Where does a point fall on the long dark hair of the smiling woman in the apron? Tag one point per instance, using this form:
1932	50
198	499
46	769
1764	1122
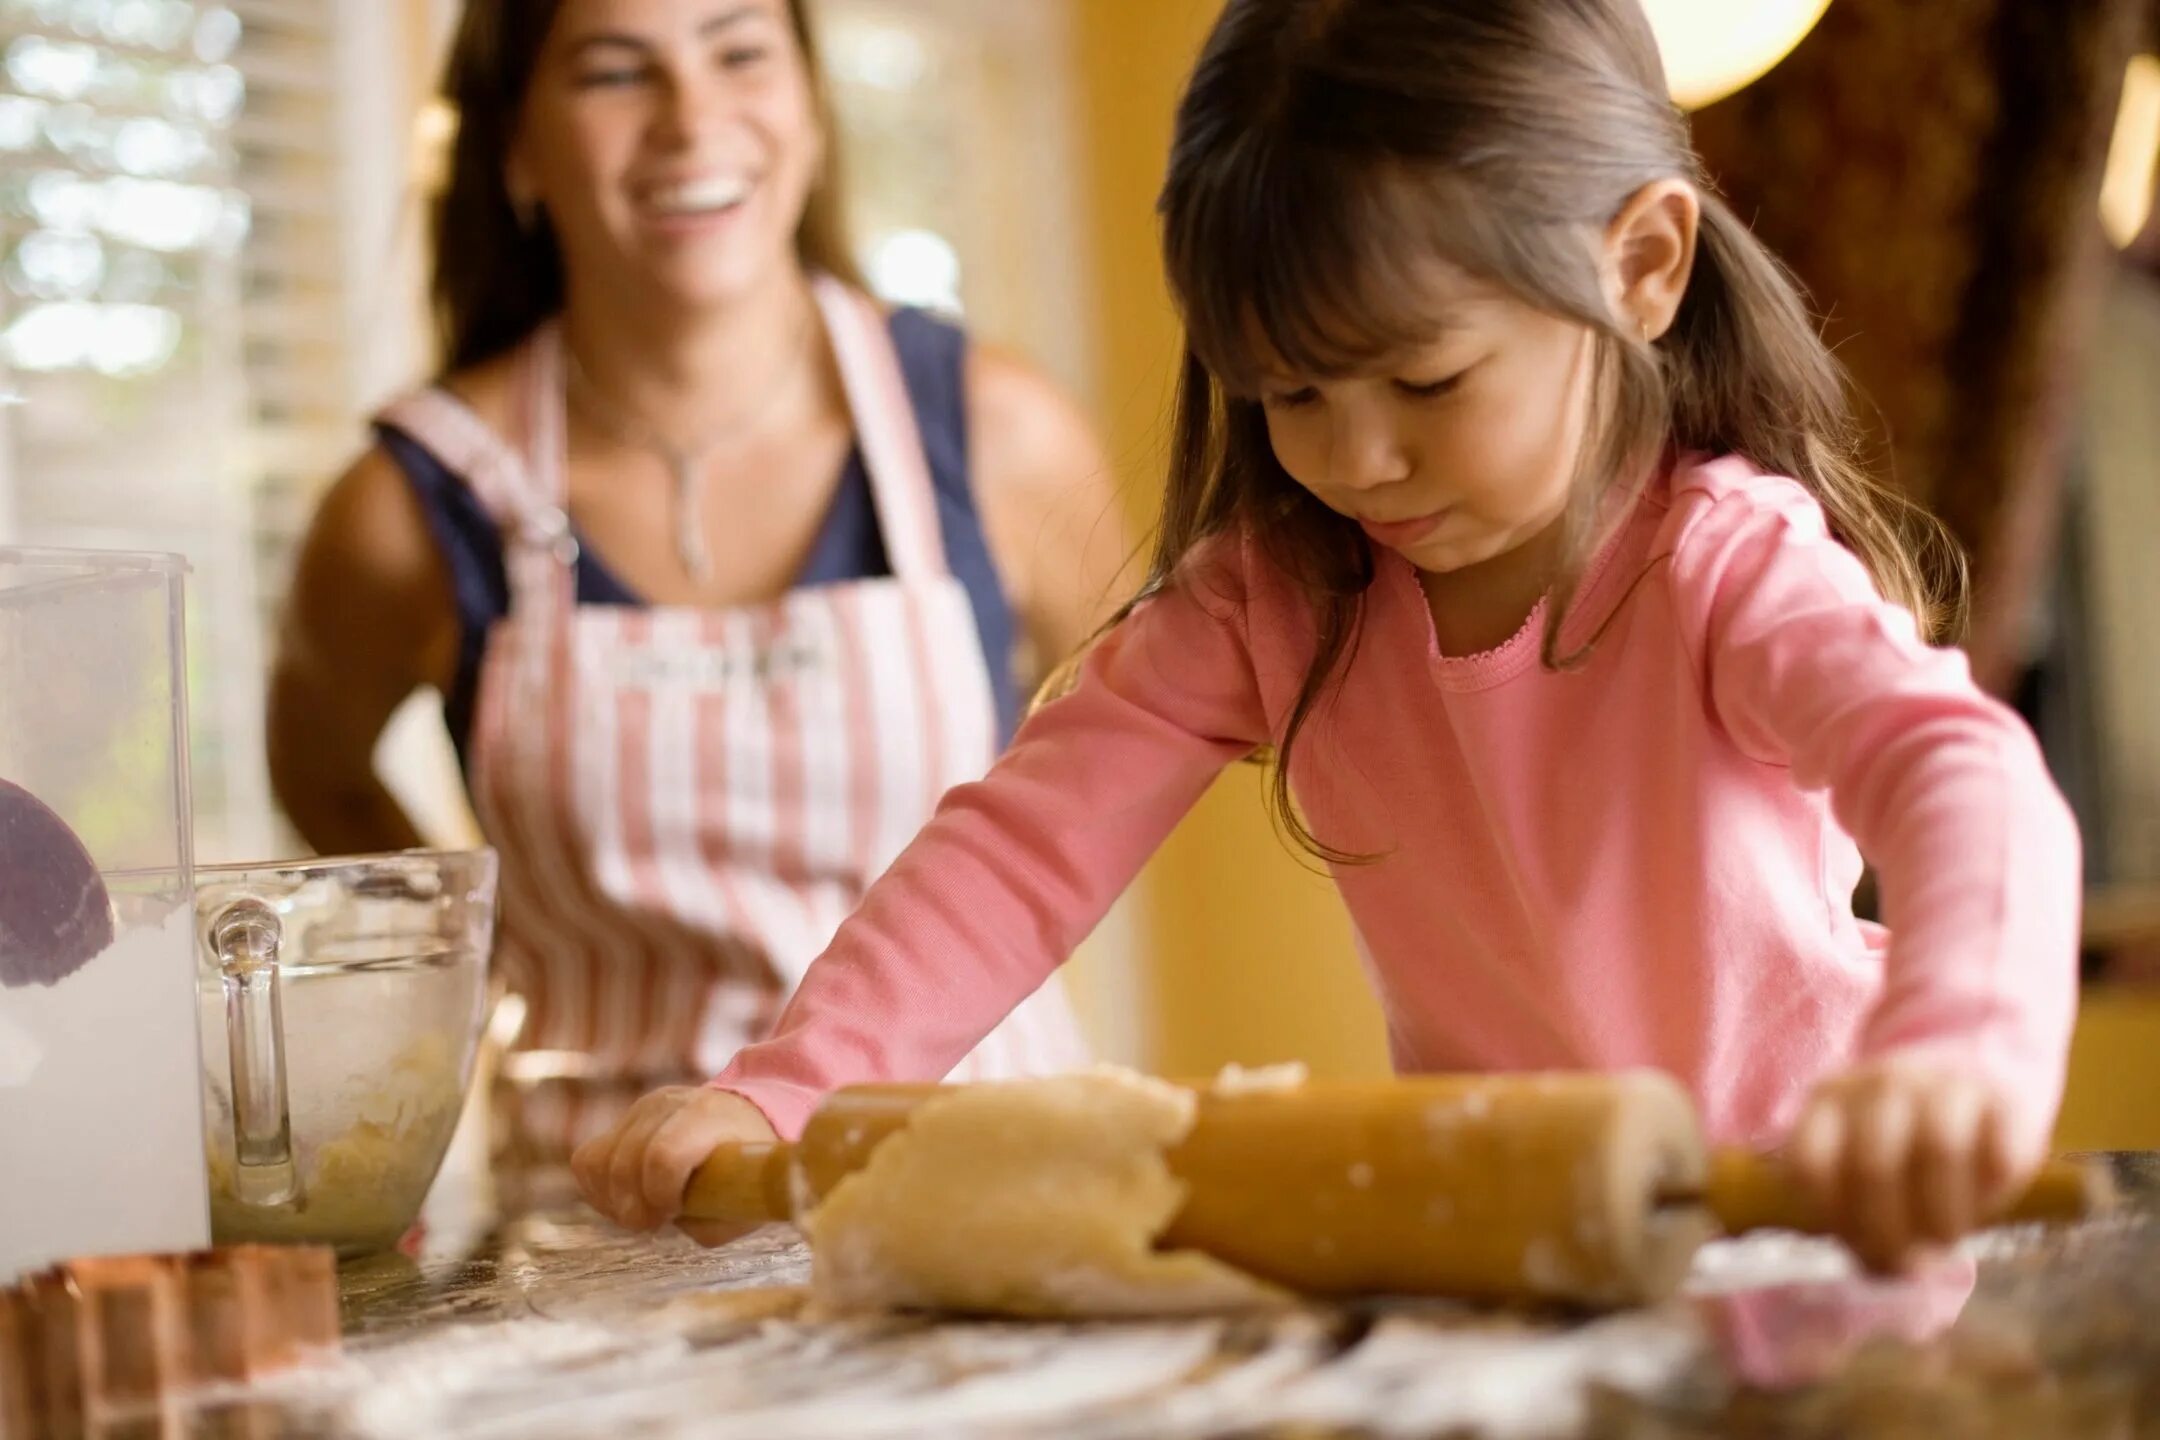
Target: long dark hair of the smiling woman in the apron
496	277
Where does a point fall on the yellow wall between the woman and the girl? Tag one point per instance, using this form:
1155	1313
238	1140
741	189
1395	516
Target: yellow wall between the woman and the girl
1250	953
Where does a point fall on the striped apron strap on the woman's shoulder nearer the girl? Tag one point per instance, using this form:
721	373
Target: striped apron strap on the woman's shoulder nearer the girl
887	426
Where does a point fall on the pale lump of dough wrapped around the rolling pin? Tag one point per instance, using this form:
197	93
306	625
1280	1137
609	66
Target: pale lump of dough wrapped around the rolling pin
1036	1197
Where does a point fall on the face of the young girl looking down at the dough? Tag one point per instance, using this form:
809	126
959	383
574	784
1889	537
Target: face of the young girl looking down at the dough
1455	452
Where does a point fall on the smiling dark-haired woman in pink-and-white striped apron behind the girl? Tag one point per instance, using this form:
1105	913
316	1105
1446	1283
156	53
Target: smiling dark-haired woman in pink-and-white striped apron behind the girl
720	567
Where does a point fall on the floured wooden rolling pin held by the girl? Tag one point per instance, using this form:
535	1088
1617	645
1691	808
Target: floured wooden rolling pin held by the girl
1582	1188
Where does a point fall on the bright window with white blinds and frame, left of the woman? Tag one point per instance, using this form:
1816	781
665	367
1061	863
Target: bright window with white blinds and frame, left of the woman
202	210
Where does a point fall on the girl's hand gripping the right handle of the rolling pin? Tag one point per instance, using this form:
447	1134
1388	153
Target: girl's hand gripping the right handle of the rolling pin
1908	1156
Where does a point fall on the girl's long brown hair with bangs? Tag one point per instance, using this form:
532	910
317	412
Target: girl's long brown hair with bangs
1329	150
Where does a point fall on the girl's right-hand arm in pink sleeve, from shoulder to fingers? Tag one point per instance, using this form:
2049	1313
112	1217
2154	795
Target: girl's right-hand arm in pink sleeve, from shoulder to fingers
1975	850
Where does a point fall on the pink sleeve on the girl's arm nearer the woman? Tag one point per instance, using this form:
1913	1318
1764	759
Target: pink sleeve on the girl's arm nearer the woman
1016	869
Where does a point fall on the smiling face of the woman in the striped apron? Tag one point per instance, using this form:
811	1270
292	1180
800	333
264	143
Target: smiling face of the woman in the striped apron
673	144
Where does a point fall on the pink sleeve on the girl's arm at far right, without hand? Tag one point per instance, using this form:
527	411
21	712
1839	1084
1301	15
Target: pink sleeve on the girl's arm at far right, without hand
1943	789
